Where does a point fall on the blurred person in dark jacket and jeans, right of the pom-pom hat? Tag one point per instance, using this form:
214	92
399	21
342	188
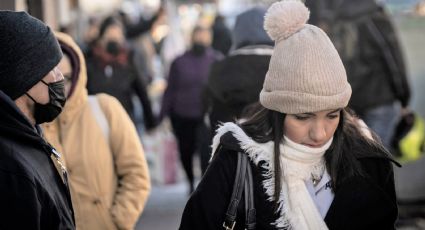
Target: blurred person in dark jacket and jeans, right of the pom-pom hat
366	40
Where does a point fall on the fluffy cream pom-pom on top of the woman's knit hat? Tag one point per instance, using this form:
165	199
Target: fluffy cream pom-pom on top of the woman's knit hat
285	18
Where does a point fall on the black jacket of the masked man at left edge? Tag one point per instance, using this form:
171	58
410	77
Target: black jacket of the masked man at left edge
32	192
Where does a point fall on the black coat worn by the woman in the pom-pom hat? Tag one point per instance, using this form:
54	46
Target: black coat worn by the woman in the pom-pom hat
359	203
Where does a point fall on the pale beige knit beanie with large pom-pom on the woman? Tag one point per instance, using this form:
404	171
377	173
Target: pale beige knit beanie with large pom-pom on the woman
305	73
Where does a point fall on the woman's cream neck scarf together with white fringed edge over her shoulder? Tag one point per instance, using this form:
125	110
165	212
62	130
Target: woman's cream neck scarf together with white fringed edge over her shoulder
300	163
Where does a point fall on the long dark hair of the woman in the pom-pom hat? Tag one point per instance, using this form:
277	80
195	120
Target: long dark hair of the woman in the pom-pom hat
349	144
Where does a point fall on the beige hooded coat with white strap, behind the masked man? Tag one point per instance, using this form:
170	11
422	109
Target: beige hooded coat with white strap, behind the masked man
109	182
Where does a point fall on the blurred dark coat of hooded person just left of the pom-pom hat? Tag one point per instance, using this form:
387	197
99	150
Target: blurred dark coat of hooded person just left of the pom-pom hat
236	82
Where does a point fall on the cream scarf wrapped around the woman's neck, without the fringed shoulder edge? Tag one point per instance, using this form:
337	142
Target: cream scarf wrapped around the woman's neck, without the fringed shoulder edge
299	164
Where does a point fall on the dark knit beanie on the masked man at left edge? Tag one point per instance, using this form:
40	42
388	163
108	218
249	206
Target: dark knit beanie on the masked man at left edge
28	52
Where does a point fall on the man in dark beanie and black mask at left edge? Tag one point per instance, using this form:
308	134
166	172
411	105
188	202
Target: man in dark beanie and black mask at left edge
33	180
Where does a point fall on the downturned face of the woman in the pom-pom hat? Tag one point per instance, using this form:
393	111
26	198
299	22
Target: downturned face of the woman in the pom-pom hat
312	129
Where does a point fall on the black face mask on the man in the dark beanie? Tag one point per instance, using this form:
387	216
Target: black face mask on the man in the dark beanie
49	111
